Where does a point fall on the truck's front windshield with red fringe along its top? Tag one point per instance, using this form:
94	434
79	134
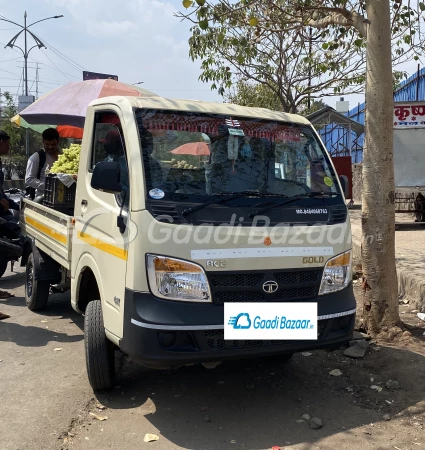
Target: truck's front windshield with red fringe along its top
192	156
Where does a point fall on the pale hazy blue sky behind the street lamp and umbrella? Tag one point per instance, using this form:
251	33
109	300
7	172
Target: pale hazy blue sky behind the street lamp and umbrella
138	40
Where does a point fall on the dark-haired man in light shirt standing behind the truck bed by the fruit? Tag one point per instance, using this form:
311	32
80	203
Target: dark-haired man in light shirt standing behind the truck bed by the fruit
38	162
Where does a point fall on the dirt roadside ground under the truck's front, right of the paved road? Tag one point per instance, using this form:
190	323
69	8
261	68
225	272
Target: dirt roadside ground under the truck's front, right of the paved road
259	404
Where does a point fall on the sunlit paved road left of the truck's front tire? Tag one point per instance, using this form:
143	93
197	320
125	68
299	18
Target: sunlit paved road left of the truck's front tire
42	390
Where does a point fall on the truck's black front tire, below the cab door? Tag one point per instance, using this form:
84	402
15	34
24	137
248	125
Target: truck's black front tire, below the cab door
100	361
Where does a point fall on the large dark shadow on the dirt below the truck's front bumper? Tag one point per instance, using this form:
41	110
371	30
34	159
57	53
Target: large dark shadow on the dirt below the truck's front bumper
256	404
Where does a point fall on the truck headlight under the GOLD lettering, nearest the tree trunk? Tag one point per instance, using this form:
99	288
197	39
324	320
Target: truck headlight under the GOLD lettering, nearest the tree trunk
337	274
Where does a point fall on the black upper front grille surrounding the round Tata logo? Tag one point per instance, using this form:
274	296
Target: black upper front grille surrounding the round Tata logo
247	286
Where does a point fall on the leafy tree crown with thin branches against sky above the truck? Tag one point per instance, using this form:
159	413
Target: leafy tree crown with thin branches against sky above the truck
267	42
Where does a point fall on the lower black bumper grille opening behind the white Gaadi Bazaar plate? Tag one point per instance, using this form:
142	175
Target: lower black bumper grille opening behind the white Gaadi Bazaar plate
215	339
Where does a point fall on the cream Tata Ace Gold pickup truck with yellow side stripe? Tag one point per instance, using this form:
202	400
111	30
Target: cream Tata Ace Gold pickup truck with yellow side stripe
160	241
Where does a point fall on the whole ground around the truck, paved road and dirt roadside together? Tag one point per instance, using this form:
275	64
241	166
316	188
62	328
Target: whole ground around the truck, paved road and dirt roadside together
47	404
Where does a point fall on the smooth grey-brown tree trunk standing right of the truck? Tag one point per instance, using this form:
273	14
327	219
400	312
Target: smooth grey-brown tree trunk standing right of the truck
378	211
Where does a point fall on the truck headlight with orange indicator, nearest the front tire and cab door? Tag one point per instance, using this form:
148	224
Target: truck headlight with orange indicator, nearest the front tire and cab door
175	279
